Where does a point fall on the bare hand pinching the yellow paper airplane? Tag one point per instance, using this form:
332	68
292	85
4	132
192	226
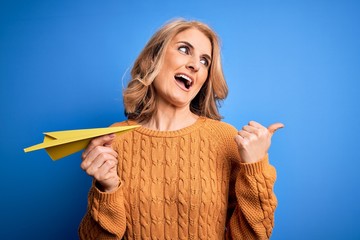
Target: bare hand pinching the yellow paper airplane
99	160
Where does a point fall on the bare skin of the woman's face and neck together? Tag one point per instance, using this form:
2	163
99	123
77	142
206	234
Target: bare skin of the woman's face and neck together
188	53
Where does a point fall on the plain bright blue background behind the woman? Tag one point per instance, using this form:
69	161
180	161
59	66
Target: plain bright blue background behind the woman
63	65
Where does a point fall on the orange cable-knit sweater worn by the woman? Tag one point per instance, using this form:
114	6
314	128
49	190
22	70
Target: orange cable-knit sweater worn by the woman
184	184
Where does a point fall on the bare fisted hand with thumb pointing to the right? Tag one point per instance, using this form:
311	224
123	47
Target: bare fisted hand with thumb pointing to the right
254	140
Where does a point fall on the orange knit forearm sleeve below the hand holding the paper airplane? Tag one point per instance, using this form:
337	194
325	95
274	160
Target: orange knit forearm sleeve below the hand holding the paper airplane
105	218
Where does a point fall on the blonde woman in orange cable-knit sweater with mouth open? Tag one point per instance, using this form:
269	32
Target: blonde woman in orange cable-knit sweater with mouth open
183	174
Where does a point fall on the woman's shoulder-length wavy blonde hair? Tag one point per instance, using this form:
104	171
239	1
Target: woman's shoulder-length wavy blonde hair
139	96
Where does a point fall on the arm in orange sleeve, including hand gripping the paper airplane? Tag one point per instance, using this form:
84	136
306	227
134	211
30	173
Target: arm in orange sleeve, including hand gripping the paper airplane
105	217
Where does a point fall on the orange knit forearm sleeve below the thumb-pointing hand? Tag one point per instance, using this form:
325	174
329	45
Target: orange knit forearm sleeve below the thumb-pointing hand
252	201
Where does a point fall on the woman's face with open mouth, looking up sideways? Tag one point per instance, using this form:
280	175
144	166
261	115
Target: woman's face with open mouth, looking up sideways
185	68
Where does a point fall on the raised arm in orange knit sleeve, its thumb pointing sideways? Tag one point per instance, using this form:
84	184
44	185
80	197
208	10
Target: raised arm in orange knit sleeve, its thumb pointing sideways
252	201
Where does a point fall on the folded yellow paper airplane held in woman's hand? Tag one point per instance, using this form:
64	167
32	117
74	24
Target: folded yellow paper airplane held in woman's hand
63	143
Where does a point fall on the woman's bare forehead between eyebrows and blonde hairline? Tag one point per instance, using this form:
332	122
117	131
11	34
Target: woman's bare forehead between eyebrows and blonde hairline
196	38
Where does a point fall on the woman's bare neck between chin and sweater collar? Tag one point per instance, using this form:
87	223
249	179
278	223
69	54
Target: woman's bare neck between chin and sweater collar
171	119
